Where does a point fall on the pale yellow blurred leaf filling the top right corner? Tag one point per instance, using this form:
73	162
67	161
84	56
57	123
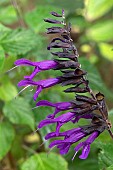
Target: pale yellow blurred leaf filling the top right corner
96	9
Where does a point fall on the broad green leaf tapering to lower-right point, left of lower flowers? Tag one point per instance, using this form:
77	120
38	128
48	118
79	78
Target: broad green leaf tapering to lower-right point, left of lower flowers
18	111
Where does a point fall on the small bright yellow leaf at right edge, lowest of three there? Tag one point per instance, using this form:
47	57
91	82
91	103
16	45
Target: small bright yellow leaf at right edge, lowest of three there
106	51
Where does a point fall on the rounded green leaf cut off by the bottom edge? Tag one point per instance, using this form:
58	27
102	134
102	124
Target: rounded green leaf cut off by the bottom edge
42	162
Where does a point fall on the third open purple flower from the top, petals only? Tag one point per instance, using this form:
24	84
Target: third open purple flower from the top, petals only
60	106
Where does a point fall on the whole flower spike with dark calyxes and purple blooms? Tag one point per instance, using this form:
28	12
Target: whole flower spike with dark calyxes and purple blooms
66	60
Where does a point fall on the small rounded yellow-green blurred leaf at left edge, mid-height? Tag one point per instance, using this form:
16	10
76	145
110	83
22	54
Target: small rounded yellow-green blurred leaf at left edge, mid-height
7	91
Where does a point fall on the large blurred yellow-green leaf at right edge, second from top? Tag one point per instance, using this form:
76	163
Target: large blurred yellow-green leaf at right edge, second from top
101	31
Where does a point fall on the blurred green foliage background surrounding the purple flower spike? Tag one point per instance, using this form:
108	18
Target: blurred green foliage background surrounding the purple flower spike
22	34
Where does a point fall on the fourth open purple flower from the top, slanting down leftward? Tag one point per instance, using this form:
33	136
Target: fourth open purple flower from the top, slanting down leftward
62	119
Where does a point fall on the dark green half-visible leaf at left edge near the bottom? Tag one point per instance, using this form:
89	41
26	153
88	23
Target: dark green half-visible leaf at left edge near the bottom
6	138
